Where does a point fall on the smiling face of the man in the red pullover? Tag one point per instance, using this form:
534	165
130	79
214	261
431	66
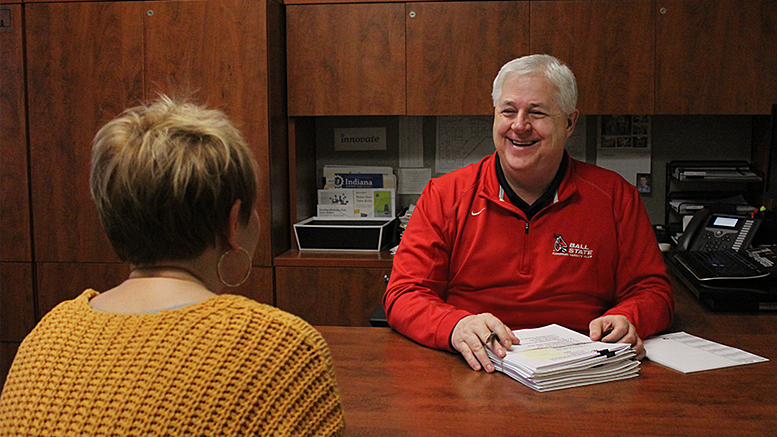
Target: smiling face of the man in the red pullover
530	130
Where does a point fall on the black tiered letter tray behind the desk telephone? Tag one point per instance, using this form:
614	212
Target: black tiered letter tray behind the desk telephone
723	186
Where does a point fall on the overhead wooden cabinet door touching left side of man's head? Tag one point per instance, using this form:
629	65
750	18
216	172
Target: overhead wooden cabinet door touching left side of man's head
454	51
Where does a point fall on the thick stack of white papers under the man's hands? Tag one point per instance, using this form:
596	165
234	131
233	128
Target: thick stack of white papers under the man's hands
554	357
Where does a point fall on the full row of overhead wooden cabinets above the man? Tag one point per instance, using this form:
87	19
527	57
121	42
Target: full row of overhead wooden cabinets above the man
639	57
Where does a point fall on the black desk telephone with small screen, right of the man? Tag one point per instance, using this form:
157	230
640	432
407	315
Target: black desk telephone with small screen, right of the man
718	246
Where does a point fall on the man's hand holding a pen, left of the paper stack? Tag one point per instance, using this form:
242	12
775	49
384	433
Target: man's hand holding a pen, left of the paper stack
473	334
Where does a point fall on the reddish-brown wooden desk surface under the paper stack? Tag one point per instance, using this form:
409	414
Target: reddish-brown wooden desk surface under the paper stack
391	386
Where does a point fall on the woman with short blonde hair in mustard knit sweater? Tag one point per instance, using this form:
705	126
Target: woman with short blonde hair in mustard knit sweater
165	352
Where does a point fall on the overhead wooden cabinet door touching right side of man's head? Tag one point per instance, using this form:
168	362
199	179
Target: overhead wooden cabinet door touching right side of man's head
609	45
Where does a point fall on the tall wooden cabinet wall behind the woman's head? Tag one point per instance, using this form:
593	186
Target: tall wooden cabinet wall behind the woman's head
85	63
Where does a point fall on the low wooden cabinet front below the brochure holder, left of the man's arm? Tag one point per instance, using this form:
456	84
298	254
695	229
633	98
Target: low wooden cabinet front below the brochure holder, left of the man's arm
330	295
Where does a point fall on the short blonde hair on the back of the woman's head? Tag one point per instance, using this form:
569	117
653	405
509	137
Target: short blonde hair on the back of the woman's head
164	178
